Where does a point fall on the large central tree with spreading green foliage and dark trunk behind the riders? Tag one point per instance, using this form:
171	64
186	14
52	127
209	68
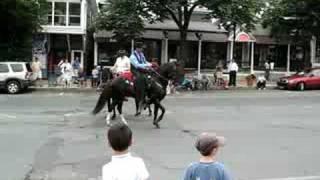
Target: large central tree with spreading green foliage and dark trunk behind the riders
126	18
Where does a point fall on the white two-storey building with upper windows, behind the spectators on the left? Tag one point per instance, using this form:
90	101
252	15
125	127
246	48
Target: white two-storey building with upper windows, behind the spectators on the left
63	34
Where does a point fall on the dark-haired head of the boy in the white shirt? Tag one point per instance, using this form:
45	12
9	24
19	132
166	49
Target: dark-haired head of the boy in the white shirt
119	136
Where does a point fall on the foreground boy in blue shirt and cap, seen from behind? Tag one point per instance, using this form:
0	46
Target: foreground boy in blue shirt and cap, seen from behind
208	168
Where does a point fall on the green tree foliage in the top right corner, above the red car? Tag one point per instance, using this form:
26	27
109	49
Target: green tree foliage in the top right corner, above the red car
298	19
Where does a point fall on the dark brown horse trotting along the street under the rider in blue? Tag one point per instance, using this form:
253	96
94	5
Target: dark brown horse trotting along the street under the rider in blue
115	91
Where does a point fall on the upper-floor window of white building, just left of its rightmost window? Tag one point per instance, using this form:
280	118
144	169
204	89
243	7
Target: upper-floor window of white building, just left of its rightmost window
60	13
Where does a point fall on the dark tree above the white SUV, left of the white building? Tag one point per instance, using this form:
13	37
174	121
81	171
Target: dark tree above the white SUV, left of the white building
20	18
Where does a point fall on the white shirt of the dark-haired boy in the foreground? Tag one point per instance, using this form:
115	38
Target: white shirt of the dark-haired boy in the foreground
125	167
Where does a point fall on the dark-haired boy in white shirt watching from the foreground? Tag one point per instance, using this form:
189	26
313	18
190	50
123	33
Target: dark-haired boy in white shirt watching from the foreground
123	166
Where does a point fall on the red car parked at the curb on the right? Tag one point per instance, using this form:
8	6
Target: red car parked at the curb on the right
309	79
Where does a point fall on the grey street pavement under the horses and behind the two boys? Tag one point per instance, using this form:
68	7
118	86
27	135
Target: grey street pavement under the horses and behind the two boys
270	134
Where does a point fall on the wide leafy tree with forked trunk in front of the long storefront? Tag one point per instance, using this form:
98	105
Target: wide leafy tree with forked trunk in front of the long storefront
124	14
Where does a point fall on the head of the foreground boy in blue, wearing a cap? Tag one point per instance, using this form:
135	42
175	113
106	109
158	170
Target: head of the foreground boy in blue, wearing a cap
207	144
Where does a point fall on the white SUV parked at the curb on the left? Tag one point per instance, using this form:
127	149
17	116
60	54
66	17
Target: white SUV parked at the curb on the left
15	76
